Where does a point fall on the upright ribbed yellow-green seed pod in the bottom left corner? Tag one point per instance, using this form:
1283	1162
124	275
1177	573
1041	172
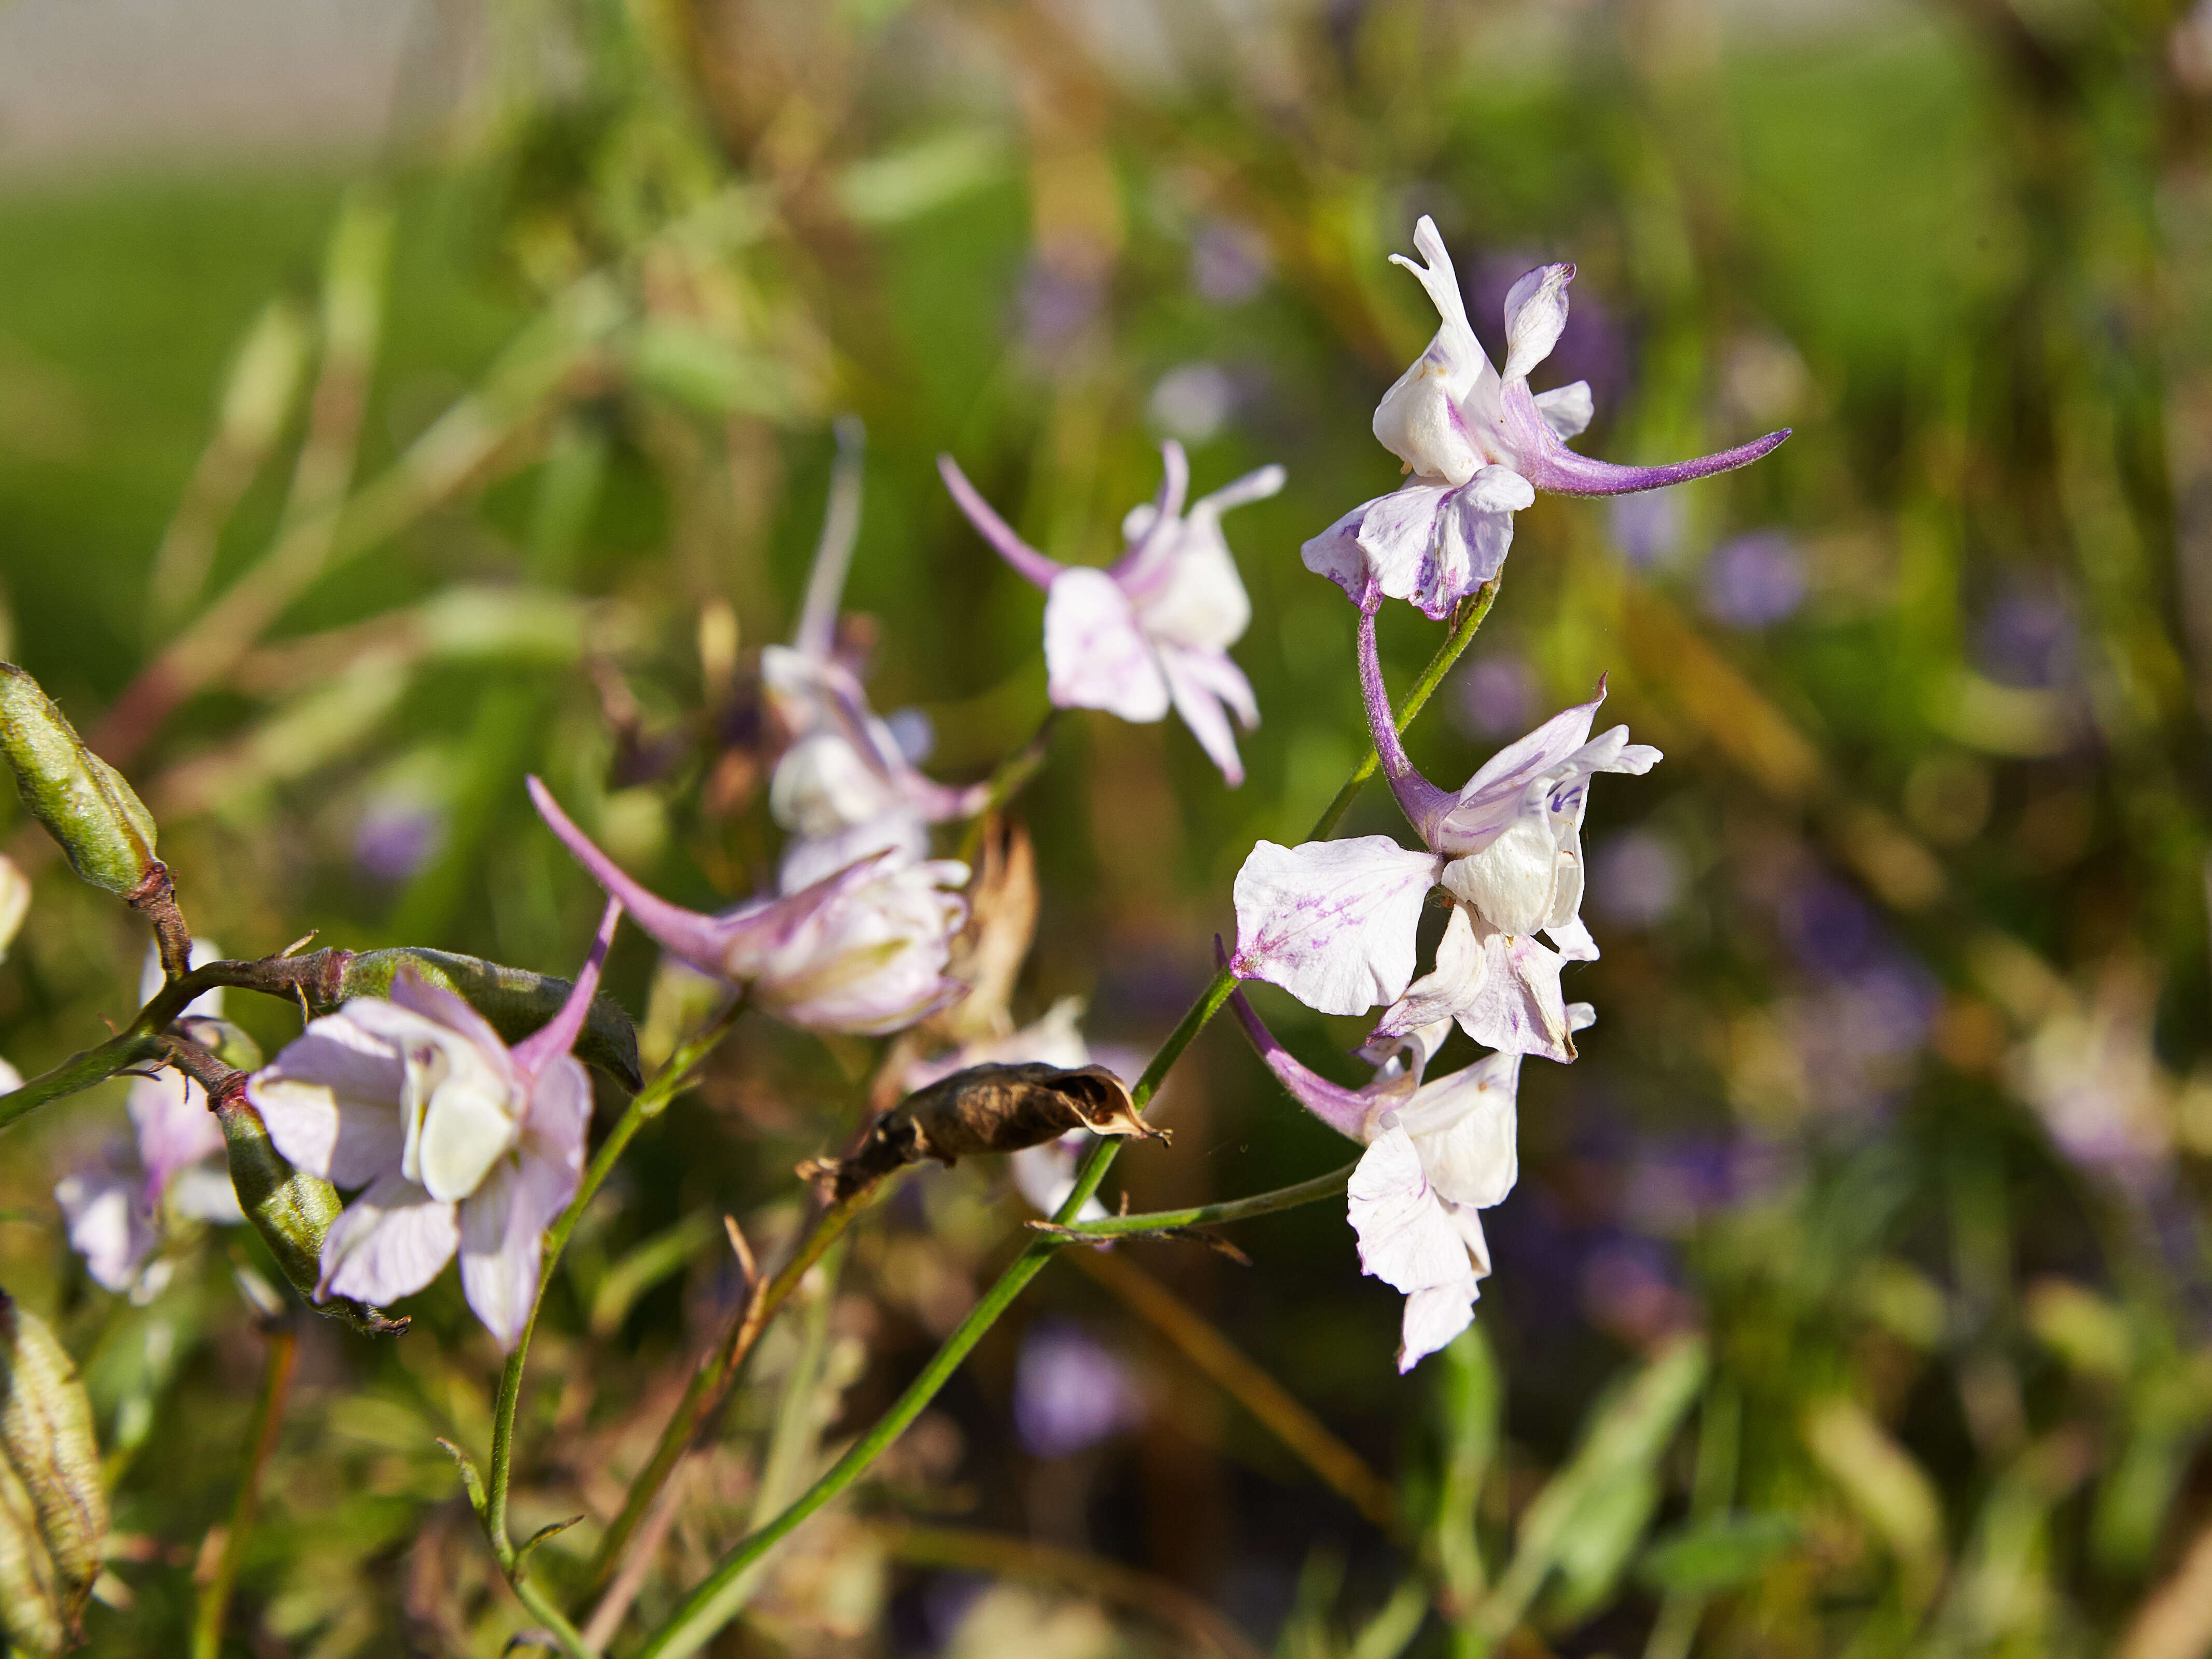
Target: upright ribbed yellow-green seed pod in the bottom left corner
50	1448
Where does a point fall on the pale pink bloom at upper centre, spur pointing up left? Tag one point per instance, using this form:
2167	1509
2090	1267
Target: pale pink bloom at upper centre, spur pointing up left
1154	629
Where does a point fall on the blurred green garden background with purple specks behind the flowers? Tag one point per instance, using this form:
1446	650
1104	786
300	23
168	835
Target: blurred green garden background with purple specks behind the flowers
1901	1078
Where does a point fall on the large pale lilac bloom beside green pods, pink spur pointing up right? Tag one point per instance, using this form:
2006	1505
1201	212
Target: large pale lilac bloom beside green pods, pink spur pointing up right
457	1142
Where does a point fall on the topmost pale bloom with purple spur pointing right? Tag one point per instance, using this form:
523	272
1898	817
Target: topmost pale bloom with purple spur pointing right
1479	446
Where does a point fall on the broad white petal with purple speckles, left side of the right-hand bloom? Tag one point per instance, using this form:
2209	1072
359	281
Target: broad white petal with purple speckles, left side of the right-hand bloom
1333	921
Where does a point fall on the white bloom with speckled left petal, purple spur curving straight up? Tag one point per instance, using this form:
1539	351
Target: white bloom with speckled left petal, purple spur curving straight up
1333	921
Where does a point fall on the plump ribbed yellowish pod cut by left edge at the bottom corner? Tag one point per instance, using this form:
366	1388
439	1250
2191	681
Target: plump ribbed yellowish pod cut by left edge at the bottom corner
54	1510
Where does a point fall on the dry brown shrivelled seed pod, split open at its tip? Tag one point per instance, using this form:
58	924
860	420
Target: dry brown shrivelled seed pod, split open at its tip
985	1109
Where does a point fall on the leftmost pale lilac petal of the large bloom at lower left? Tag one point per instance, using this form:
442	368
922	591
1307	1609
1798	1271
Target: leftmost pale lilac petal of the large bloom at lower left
333	1098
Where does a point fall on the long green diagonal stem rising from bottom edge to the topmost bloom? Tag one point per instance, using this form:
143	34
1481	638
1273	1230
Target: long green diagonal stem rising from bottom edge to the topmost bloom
696	1623
